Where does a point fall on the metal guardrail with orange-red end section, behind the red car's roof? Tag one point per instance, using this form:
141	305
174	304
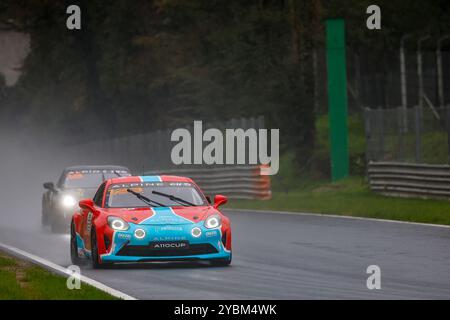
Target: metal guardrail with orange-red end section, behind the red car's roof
238	182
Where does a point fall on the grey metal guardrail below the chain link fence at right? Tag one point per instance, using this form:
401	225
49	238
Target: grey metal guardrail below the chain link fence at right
410	180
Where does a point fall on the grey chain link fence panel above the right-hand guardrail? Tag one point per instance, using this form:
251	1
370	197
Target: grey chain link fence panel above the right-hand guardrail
418	134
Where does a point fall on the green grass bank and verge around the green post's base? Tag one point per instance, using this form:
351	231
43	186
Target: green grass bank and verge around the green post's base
306	190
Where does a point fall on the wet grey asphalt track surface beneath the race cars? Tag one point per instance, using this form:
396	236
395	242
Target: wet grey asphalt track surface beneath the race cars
282	257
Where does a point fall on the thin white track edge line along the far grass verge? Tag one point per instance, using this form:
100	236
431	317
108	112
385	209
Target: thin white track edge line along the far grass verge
339	217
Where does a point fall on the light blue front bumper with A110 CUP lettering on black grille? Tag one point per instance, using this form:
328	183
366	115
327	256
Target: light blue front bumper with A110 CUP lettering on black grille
125	247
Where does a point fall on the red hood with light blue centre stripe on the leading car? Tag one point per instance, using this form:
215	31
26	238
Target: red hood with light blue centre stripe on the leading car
162	215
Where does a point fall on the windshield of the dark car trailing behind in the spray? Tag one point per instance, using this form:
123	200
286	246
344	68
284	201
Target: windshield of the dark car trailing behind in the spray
90	178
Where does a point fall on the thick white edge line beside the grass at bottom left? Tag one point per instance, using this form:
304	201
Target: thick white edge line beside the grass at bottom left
61	270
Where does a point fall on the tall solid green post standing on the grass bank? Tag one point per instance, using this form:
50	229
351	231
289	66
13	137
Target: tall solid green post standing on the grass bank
337	97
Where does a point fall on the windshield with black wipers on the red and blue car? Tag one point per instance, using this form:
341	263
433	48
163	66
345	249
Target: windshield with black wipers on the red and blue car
124	195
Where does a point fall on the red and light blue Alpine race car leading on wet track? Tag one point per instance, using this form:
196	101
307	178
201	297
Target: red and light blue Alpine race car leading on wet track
150	218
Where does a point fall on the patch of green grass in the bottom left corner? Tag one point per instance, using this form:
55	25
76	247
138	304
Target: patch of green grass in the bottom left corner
20	280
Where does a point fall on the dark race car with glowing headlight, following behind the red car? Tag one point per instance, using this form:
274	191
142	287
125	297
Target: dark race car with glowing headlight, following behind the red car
75	183
